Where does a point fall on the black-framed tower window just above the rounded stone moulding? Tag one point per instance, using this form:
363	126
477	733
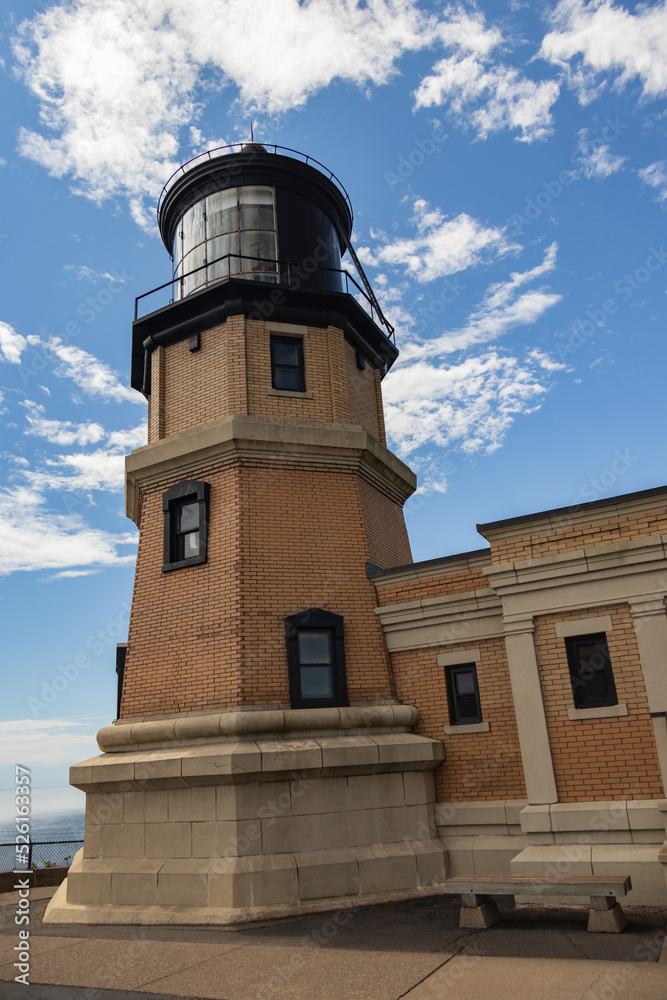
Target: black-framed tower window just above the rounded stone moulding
316	659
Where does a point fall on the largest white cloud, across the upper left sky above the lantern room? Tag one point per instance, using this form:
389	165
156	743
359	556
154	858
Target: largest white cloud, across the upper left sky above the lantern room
118	81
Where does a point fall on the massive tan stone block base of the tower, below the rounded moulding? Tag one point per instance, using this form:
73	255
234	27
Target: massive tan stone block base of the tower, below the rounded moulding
238	830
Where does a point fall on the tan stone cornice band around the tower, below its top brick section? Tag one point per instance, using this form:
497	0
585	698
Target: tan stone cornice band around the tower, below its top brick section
274	438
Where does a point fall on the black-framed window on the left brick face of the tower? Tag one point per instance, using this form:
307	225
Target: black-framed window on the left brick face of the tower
185	509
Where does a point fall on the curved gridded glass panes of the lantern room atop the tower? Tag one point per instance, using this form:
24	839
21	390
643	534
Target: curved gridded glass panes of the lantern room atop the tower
230	233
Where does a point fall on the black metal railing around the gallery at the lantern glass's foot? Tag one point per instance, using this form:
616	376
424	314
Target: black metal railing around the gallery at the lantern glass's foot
285	273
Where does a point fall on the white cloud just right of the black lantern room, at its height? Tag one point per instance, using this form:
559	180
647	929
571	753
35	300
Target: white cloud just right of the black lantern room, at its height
442	246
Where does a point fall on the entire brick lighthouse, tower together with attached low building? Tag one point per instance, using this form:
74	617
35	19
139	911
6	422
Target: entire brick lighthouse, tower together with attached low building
292	680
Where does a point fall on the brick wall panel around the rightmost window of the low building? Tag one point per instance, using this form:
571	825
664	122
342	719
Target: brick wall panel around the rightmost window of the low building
598	759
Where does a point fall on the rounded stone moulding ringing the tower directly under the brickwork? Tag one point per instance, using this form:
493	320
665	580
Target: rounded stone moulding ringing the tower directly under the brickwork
234	726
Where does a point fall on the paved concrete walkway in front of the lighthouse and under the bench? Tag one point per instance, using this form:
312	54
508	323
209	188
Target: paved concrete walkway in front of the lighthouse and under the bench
412	950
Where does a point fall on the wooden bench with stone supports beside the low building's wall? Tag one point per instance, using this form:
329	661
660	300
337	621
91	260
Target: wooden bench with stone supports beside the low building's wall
478	910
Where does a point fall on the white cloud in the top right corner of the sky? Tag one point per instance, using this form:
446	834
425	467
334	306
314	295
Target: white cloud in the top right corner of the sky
600	37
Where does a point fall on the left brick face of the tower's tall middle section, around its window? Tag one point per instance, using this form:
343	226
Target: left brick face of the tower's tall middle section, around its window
184	650
